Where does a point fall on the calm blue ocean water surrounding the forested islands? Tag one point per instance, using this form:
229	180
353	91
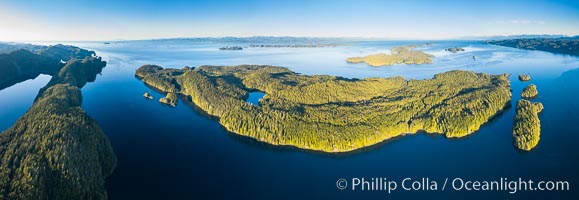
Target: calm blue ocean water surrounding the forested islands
181	153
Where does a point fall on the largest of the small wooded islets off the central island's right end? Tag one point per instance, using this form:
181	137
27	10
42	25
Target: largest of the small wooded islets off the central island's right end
526	125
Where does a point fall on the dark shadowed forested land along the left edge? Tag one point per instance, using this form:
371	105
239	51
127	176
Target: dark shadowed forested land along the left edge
55	150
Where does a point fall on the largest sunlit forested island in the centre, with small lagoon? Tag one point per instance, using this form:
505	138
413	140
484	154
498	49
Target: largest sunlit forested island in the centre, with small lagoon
335	114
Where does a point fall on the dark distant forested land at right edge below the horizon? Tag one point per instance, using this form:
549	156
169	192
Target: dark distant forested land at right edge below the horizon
564	45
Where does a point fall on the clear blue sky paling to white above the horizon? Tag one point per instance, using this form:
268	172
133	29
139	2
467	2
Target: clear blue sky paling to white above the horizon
76	20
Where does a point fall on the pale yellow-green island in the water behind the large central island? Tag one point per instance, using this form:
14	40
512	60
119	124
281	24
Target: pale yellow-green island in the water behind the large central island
398	55
